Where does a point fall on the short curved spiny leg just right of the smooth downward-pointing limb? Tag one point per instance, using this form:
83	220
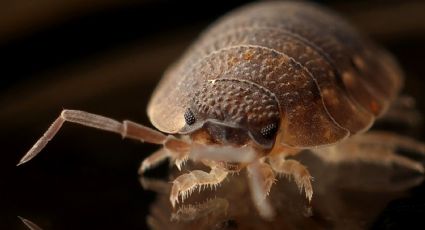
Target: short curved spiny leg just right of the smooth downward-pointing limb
293	168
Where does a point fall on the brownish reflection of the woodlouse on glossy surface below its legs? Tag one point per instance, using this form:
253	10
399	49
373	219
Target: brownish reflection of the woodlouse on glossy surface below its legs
346	197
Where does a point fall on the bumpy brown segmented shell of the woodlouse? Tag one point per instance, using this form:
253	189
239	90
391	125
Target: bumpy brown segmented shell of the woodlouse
287	67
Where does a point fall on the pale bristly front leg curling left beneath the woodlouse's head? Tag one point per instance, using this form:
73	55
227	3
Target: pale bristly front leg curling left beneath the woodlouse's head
185	184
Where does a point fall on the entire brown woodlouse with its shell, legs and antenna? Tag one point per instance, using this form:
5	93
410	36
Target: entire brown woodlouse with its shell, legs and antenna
262	84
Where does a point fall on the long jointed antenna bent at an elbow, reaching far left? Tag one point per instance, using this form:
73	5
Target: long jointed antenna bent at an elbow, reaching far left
127	129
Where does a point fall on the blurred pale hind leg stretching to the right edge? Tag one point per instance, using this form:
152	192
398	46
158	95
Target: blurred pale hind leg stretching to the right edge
375	147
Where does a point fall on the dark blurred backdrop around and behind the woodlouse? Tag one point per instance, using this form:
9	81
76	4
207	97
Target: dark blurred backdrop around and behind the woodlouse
105	57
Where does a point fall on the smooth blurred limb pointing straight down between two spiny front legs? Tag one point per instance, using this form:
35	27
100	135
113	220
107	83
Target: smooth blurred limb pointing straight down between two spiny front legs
260	179
